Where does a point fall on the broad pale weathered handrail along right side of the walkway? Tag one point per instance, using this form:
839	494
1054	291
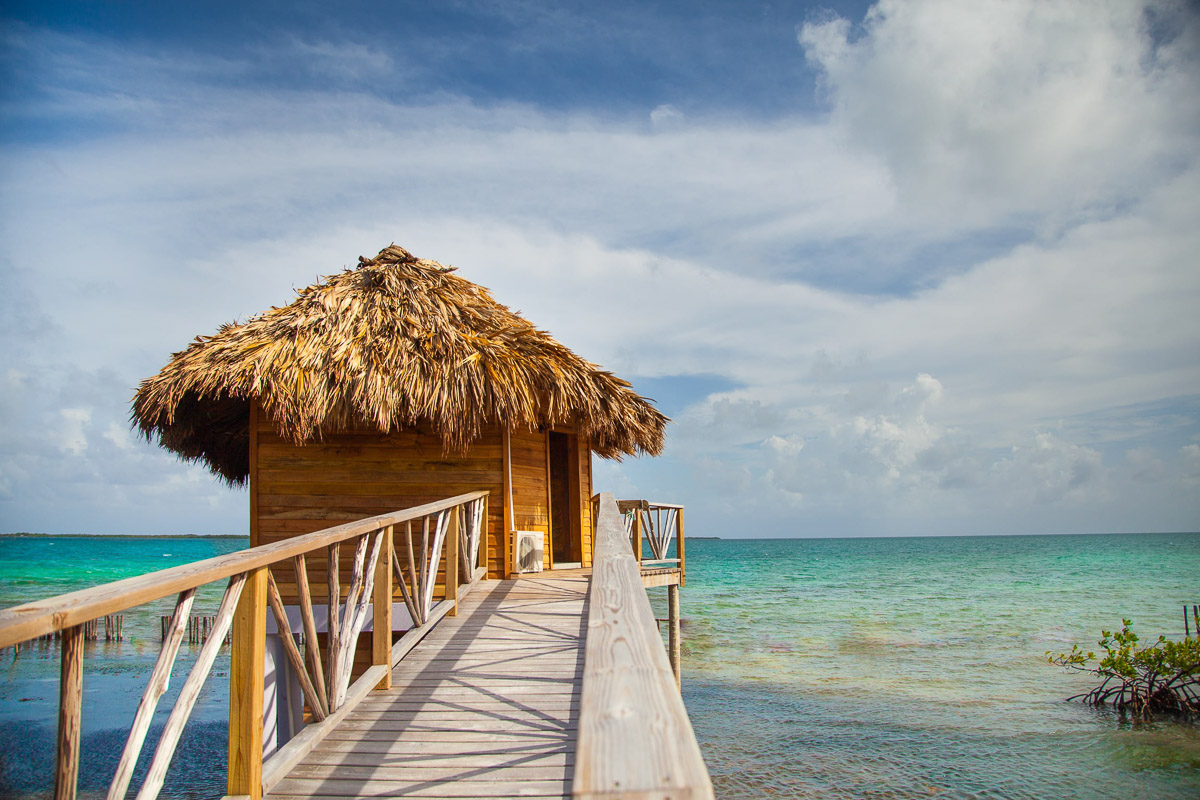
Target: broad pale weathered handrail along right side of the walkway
635	738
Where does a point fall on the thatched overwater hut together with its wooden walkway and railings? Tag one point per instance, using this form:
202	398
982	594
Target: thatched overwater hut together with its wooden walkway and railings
435	603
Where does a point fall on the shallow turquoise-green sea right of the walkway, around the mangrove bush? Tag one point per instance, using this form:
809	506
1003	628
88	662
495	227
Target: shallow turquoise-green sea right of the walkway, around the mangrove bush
915	667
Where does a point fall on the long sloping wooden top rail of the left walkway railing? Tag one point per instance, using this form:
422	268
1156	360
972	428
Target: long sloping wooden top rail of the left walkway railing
52	615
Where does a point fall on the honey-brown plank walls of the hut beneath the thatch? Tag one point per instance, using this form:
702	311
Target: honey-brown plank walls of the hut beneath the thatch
356	474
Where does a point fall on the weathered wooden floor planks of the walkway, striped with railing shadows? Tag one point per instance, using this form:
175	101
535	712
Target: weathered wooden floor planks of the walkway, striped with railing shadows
485	707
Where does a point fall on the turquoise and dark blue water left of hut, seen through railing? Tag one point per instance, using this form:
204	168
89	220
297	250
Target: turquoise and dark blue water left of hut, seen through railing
116	673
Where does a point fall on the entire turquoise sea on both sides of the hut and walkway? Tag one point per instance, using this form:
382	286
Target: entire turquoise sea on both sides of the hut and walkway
812	667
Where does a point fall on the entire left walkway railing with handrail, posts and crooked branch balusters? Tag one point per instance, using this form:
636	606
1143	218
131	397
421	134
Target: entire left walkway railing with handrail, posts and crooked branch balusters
454	526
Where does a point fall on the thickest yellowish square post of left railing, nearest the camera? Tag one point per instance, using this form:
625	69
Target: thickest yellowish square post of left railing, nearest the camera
247	661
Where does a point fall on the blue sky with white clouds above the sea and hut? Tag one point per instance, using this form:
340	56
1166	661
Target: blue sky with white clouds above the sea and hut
919	267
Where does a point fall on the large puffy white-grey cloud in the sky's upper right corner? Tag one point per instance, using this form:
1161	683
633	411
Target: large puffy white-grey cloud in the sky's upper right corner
1011	109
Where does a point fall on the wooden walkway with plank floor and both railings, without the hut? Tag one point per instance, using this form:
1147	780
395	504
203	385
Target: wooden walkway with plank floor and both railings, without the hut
554	685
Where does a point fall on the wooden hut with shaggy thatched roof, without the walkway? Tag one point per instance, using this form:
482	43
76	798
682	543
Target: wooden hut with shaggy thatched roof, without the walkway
394	384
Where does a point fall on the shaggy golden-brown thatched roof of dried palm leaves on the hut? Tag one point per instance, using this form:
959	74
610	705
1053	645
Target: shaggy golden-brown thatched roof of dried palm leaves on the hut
398	342
